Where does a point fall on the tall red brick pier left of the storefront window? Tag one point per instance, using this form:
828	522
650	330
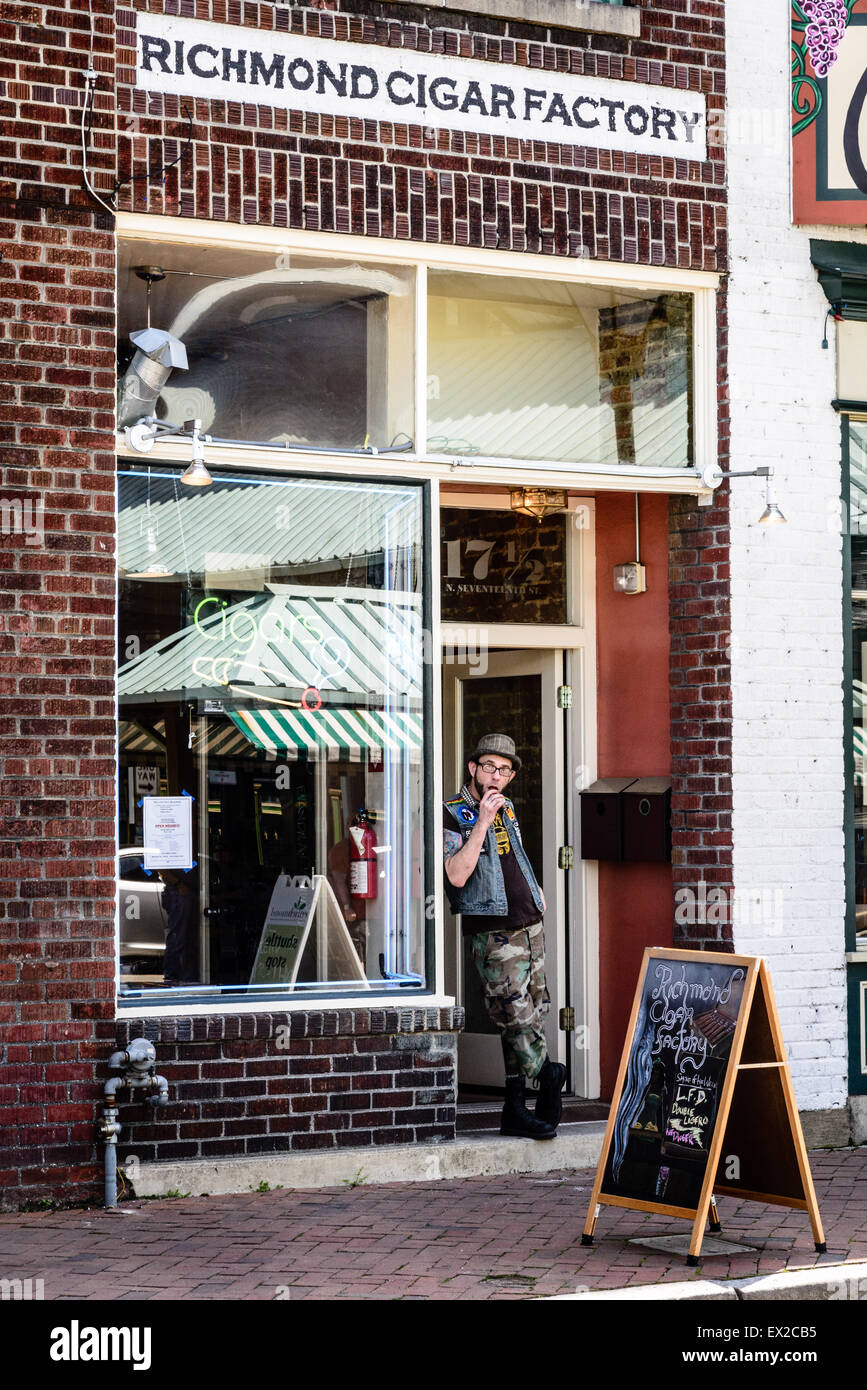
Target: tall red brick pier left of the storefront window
58	812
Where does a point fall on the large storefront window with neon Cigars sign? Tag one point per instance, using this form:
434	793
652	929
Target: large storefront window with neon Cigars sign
272	700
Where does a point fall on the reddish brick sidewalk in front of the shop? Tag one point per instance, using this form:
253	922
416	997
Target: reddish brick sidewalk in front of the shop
480	1239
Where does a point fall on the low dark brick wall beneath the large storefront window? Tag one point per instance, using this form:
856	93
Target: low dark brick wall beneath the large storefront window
319	1079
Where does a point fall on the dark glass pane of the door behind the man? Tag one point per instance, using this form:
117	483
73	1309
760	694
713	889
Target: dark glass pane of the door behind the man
493	707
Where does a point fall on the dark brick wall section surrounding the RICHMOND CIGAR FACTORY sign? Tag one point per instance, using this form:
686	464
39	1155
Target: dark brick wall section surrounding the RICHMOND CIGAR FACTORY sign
256	165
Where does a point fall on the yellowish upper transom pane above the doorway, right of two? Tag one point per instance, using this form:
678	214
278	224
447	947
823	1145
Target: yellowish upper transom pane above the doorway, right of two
531	369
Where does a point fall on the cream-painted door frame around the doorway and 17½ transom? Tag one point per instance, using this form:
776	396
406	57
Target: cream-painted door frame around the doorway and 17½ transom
579	945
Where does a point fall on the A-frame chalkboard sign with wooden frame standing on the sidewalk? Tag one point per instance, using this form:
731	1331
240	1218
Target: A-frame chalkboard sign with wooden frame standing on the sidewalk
704	1103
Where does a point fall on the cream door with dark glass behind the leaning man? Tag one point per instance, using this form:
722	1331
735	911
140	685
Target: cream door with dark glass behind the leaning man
512	693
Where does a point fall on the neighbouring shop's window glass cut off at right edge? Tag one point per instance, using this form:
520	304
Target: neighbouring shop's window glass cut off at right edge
858	476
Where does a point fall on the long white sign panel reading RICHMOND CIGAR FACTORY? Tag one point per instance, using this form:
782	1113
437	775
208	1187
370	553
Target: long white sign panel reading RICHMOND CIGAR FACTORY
229	63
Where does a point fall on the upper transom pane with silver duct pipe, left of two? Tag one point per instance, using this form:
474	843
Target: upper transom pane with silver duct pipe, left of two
290	350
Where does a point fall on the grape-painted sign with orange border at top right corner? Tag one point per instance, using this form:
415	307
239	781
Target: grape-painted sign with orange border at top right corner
830	112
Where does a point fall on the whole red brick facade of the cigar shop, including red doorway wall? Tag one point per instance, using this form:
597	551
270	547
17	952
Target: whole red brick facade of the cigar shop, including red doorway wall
348	1077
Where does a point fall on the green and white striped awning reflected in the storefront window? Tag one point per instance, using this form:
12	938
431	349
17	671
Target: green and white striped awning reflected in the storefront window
333	733
